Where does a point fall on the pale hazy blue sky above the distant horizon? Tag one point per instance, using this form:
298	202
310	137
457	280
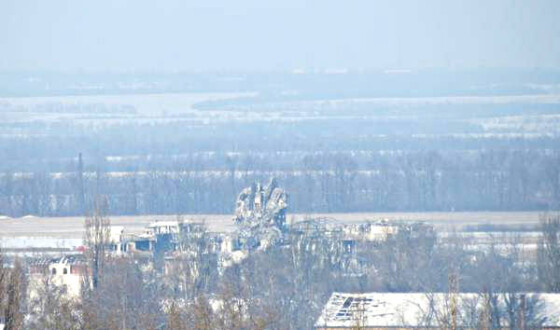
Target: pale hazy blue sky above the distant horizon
277	34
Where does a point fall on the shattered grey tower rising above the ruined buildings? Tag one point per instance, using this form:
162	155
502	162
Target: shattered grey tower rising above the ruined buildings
260	215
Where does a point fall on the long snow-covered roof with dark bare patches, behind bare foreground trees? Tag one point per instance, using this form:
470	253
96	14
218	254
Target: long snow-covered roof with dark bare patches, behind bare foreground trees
346	310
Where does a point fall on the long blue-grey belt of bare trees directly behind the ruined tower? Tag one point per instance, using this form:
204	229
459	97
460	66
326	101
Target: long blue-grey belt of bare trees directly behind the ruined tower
318	182
